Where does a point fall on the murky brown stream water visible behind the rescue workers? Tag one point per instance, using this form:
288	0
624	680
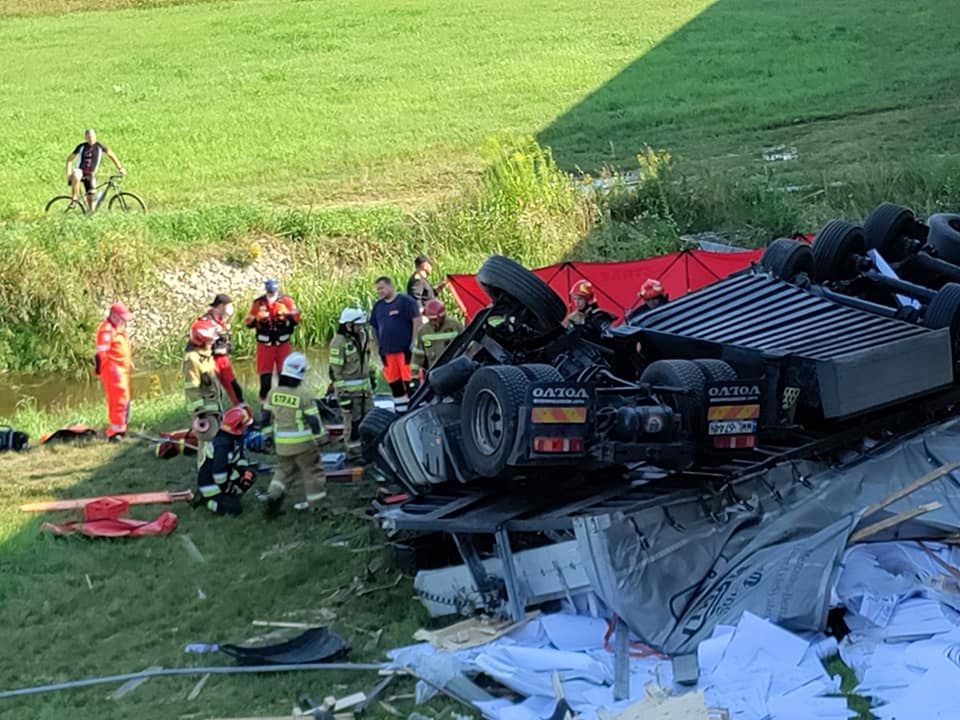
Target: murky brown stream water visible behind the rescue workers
53	391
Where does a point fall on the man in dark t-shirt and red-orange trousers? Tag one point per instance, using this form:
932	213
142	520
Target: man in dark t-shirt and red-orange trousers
395	319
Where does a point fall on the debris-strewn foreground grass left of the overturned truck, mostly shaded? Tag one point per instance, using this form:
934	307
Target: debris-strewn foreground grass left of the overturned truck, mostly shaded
75	607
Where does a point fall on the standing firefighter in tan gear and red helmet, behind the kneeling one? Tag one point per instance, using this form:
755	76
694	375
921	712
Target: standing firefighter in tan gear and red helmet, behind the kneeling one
200	384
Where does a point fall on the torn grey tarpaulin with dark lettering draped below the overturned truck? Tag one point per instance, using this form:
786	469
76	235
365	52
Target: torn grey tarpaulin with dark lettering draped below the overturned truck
773	550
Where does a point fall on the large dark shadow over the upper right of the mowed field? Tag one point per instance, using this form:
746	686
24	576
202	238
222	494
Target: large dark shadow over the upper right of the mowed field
845	80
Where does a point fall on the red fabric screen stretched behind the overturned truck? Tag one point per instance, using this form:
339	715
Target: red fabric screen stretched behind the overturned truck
616	283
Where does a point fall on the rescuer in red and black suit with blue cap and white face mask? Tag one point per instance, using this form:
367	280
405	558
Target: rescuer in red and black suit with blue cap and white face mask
274	317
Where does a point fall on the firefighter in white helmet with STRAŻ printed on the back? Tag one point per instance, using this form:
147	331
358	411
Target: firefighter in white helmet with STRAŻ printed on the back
293	421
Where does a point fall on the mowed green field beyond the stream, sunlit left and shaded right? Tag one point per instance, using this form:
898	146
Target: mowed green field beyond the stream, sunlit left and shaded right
319	102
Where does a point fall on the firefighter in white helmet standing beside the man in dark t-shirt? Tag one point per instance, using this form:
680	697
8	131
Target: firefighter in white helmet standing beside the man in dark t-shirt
351	375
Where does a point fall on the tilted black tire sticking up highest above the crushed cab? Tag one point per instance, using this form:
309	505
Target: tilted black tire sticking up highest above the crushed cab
505	279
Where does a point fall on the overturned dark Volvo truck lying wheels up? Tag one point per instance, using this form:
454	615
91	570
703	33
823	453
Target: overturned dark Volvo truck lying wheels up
812	347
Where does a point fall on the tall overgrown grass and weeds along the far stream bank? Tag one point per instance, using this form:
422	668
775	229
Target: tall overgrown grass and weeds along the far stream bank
63	271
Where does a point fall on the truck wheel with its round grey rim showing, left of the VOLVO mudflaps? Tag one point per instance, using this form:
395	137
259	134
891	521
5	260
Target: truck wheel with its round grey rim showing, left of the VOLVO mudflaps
489	417
